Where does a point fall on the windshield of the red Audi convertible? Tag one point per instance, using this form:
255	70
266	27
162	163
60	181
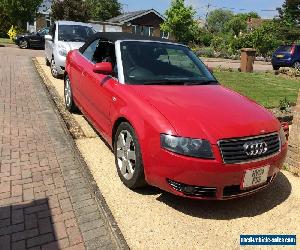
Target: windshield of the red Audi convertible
159	63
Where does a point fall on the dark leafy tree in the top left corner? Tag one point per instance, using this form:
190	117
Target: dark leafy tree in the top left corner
19	11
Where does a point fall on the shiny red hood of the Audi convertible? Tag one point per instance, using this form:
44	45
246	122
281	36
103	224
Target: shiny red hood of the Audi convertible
209	112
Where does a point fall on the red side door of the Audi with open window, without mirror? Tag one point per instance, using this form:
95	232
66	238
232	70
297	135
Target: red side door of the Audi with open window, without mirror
95	88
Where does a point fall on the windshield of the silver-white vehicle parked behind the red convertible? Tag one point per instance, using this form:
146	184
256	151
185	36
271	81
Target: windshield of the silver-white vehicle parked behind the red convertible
74	33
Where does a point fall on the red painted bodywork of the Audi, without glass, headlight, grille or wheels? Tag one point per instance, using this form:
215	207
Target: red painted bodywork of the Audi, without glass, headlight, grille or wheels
213	113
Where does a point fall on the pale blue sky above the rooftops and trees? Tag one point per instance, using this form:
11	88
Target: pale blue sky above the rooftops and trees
265	8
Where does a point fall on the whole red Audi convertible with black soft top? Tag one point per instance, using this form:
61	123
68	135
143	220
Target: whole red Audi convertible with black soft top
170	123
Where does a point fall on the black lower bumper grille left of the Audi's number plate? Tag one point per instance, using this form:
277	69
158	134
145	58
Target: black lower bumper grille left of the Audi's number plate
195	191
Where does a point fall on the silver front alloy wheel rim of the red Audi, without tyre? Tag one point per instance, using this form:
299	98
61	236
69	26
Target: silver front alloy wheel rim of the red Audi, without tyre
126	155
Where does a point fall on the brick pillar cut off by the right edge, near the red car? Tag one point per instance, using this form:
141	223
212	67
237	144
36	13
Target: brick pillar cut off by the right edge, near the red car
293	159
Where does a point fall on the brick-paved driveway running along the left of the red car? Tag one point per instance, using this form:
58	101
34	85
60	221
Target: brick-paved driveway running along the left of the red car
46	200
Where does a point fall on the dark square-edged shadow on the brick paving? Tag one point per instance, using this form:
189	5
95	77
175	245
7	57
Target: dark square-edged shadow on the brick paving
27	226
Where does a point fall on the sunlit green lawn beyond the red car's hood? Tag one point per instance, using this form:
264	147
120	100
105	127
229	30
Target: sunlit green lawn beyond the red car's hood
265	88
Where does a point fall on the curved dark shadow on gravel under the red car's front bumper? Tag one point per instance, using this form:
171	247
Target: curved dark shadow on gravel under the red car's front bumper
248	206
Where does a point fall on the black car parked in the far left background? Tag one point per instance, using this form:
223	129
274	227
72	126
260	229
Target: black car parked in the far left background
32	40
